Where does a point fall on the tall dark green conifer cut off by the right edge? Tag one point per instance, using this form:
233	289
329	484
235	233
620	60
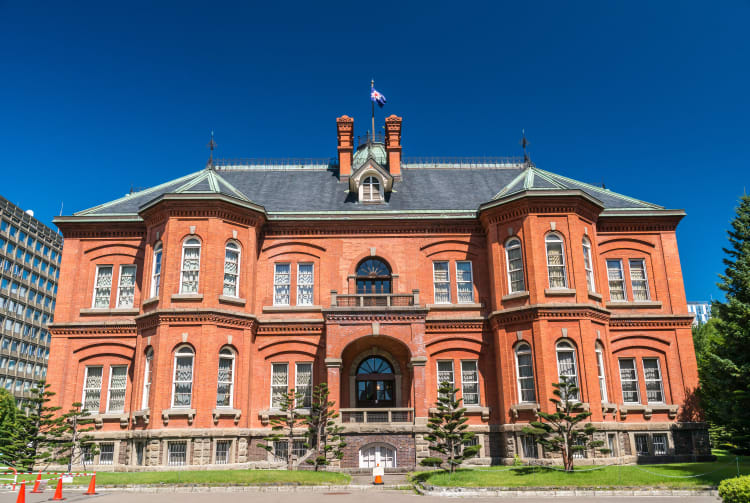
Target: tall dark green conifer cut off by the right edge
725	377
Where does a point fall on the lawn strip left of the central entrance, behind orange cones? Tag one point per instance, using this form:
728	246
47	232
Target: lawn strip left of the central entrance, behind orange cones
214	477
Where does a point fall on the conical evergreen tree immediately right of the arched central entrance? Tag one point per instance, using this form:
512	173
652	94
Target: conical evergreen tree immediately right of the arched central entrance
448	435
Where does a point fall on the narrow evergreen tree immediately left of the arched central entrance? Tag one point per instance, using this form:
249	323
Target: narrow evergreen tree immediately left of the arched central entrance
323	434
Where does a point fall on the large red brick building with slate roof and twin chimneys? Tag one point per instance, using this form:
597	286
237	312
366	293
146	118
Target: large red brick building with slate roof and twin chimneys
186	309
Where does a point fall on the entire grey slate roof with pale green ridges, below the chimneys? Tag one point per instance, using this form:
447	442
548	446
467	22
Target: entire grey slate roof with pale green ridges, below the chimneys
317	189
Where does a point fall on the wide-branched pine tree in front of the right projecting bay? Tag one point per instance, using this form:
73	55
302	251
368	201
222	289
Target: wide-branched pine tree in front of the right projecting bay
561	430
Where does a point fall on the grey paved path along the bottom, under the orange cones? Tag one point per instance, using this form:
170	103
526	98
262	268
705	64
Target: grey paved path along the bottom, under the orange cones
340	496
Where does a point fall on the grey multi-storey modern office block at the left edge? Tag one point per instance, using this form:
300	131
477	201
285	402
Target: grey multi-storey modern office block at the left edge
30	255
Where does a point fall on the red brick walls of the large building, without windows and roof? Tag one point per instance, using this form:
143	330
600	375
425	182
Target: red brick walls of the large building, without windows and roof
335	336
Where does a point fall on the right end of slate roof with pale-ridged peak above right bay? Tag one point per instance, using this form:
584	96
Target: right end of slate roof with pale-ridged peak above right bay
534	179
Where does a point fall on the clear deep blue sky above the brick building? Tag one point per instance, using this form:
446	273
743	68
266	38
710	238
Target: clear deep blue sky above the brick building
650	98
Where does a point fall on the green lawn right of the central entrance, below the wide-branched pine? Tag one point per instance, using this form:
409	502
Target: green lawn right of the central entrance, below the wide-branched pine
674	475
